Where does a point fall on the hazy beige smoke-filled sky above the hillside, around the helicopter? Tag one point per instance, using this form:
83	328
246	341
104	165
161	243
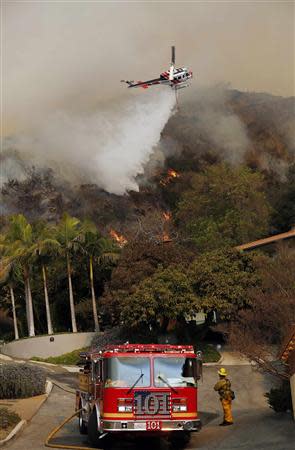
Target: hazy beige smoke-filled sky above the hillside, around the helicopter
71	55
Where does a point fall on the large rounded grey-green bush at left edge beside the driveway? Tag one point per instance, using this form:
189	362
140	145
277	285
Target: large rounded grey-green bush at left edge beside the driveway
21	381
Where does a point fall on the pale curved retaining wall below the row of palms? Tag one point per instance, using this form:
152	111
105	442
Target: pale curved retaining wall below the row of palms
45	346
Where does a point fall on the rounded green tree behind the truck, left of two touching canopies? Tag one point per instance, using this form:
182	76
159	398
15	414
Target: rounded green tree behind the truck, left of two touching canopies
166	295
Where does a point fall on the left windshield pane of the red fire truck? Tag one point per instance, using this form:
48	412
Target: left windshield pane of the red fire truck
125	371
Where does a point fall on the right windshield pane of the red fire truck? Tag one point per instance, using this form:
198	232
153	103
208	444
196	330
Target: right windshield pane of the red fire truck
176	372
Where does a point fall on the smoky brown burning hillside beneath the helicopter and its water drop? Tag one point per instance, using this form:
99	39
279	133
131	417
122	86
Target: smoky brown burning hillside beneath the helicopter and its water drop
212	125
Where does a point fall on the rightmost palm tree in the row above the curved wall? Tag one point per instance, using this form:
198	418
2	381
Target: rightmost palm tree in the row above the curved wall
96	247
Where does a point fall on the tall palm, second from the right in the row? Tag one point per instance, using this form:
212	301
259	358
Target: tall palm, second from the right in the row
67	234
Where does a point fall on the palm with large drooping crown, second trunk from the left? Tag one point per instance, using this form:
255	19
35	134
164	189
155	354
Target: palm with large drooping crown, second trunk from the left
19	246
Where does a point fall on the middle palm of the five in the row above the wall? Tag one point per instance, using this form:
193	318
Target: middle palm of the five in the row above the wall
46	247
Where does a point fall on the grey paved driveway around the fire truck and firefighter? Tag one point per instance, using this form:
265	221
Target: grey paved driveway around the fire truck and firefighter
256	426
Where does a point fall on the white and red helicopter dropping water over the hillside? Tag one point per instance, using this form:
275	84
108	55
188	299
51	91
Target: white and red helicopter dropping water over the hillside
175	78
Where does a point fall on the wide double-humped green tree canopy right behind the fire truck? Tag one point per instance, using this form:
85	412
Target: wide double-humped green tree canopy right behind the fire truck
218	280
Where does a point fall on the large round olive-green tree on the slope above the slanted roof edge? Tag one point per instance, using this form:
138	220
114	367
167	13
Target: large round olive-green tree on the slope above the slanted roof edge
225	206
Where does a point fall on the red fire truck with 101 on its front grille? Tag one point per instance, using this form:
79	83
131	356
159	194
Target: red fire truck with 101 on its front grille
140	389
